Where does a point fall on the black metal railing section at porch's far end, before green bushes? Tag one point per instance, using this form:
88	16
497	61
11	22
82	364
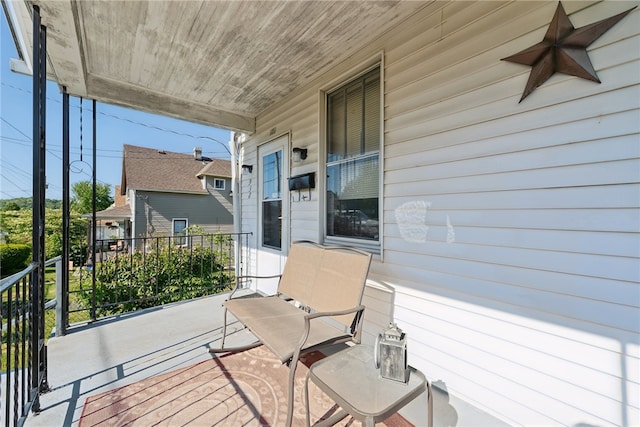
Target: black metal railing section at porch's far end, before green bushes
138	273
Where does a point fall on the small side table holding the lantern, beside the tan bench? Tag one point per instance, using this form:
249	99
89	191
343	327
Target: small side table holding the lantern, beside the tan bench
350	378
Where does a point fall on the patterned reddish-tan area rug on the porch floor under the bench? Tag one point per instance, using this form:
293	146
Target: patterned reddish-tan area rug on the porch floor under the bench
242	389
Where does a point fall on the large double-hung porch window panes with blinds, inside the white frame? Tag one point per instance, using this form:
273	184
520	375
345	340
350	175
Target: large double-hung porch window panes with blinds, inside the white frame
352	162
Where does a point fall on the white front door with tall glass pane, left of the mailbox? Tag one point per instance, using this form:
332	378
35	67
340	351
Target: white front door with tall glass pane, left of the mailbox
273	226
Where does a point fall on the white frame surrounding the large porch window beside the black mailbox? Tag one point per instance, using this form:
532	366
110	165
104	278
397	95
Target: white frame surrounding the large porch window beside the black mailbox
375	247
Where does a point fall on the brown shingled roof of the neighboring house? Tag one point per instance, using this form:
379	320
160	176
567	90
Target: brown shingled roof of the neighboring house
166	171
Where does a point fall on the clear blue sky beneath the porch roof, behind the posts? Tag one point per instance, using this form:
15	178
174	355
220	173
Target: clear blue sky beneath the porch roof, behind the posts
115	126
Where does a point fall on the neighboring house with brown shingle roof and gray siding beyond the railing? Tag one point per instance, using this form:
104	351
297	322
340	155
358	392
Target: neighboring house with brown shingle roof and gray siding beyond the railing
166	192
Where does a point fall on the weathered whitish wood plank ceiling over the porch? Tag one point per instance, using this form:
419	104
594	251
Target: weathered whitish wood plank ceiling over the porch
214	62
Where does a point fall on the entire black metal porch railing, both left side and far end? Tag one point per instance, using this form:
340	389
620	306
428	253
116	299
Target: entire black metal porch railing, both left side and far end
130	274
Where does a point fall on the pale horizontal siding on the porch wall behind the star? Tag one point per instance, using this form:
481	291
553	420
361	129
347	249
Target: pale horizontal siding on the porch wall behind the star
521	290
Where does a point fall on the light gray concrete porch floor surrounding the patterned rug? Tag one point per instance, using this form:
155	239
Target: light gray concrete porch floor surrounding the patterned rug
112	353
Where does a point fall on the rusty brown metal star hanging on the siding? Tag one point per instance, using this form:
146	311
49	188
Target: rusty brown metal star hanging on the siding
563	50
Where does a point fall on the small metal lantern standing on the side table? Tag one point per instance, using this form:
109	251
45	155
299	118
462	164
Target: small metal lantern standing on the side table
391	354
